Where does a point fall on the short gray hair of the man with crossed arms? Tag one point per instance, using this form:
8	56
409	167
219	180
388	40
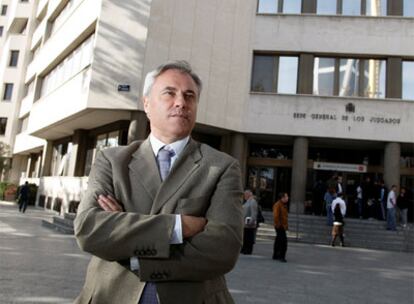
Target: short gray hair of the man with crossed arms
180	65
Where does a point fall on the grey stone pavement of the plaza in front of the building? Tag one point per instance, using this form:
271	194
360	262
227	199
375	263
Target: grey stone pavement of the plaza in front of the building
38	265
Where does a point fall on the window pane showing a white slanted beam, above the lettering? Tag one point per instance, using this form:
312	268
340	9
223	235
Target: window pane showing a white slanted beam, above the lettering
348	77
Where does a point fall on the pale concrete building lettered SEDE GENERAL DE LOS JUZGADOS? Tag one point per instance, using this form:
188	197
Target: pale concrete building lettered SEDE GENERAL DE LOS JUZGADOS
296	90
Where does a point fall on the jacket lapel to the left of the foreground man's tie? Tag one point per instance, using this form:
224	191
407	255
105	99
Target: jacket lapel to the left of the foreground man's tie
144	169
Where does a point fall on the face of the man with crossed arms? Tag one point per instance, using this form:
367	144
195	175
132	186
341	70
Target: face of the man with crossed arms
171	106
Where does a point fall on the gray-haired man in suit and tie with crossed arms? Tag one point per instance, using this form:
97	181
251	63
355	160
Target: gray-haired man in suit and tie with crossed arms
163	217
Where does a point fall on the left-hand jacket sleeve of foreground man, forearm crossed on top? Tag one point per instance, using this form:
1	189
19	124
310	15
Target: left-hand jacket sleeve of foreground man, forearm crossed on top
116	236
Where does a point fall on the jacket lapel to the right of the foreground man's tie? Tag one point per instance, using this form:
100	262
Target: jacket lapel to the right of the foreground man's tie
183	168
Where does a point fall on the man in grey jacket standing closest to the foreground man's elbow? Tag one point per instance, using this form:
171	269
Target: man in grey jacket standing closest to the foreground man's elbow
250	208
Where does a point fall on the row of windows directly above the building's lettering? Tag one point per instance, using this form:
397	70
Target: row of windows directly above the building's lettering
331	76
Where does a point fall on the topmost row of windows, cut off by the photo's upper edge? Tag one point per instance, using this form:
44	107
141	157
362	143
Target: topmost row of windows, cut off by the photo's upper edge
334	7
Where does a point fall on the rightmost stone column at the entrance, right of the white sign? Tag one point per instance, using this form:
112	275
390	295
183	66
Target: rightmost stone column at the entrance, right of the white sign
392	154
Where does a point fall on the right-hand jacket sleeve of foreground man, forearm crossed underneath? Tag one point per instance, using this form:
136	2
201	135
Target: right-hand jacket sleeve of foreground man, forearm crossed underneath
214	251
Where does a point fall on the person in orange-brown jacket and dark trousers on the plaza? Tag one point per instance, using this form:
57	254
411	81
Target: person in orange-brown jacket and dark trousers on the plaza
280	216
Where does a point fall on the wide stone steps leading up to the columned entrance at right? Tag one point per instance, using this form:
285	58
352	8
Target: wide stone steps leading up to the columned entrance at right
358	233
